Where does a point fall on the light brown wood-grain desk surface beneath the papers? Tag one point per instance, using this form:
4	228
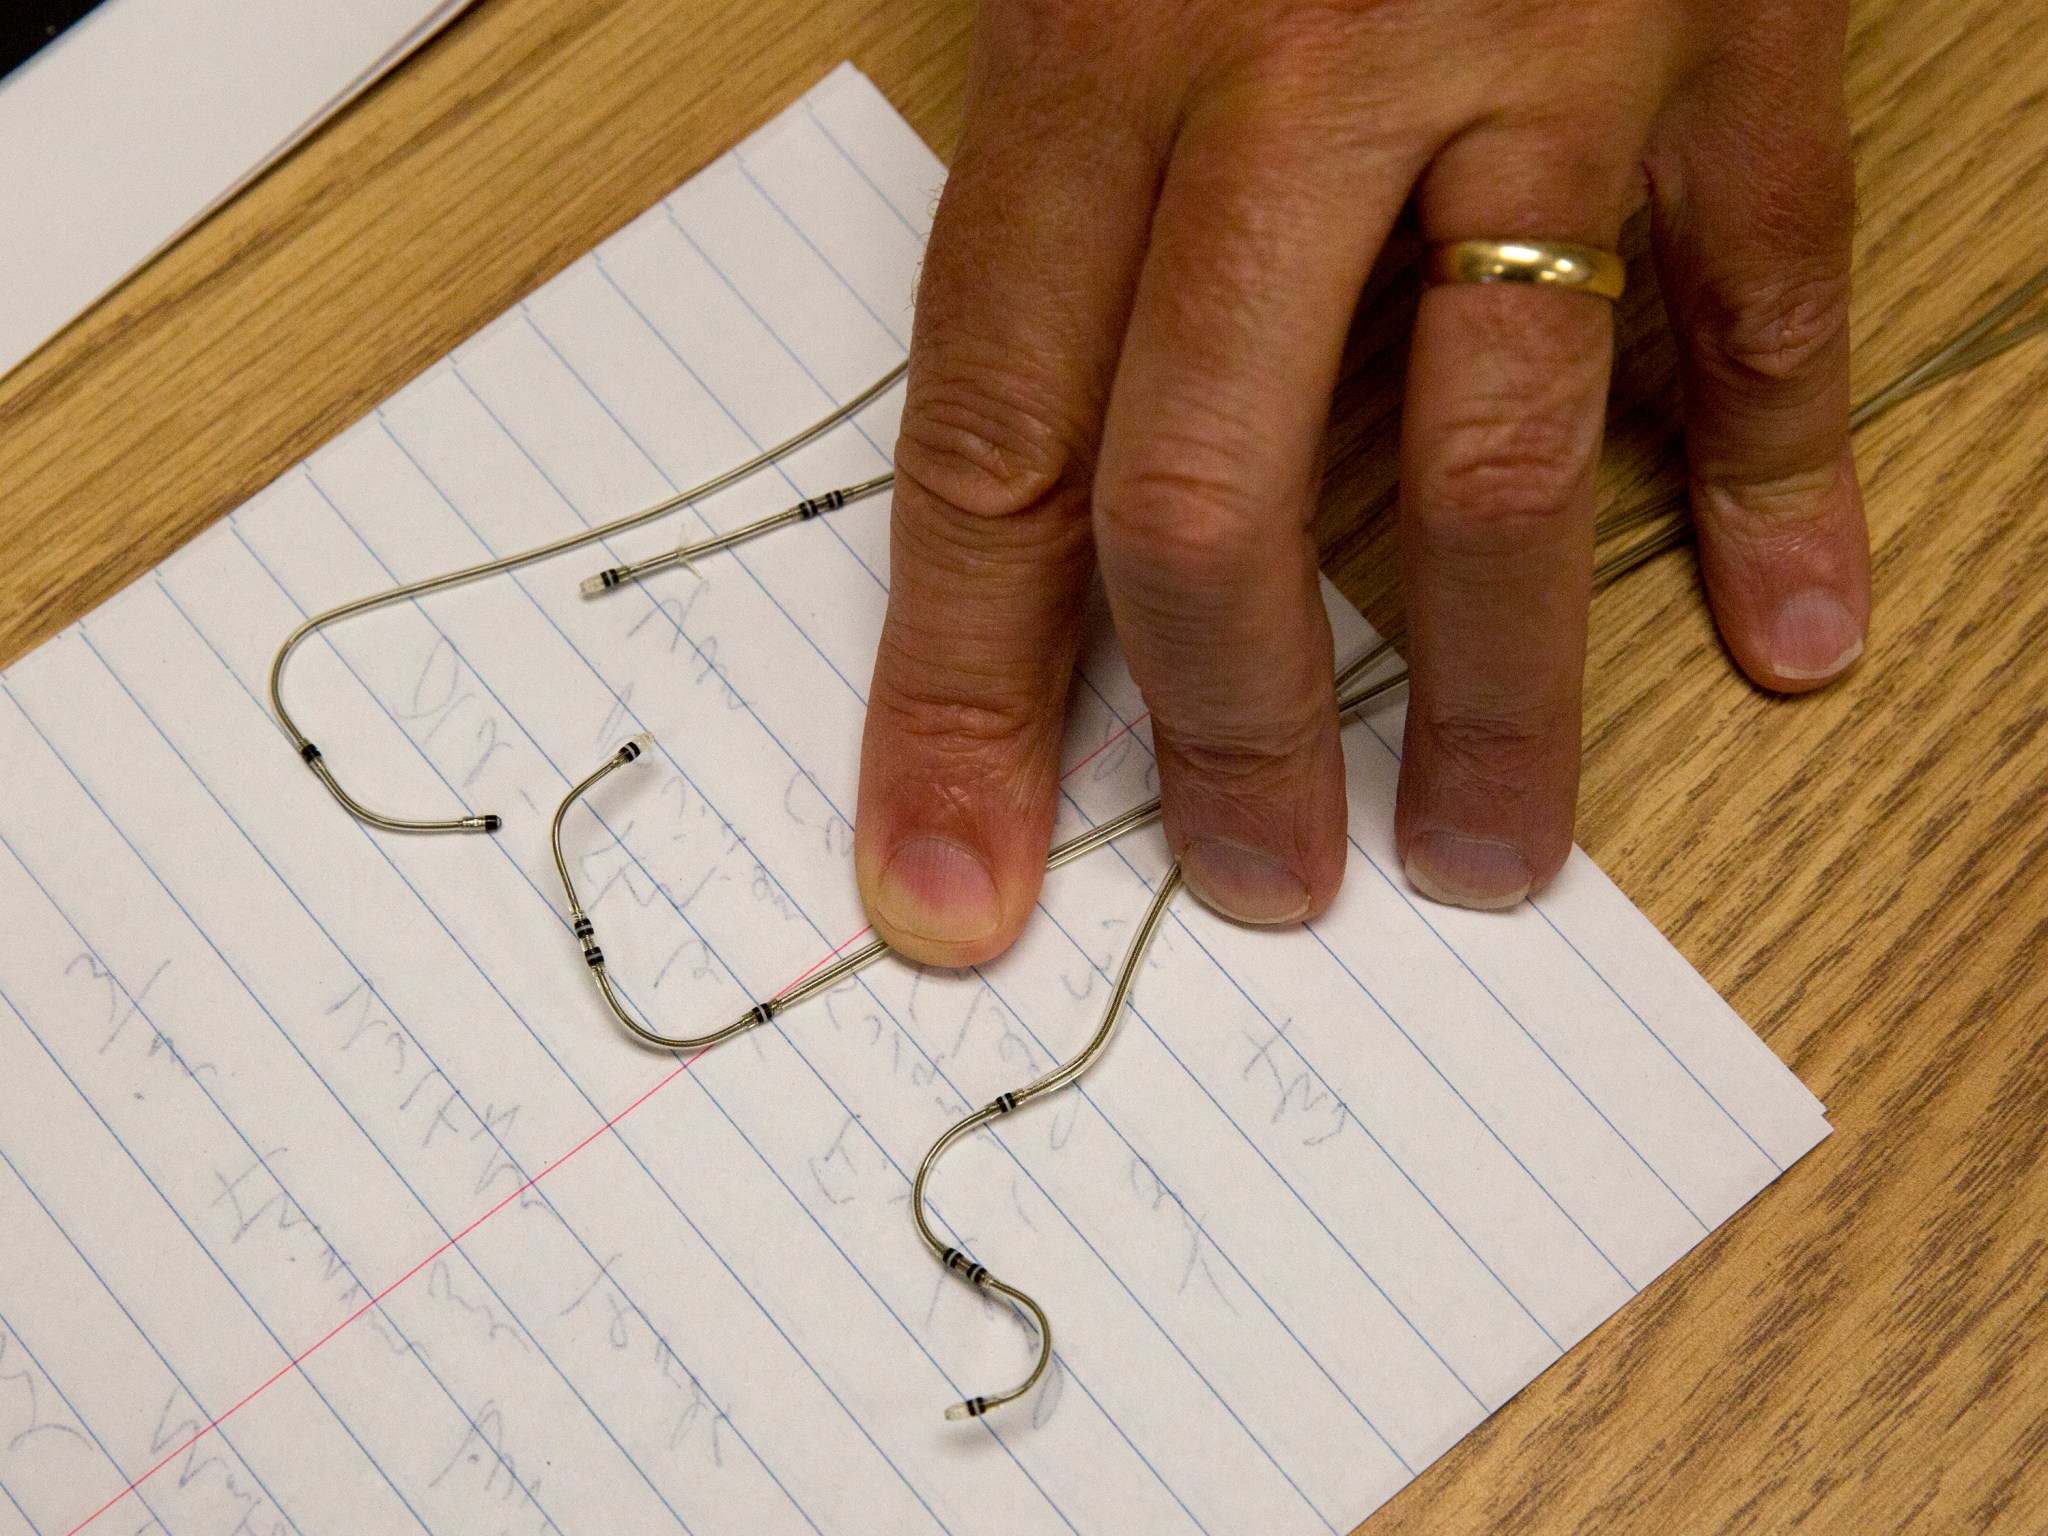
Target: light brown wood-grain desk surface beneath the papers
1863	873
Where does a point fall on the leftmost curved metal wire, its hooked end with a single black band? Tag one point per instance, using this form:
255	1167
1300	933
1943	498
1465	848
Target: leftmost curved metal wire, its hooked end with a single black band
304	746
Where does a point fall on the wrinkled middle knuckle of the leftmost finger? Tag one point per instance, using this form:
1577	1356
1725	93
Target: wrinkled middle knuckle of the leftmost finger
984	439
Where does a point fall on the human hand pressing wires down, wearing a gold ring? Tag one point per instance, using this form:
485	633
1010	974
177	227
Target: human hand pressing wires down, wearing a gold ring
1129	327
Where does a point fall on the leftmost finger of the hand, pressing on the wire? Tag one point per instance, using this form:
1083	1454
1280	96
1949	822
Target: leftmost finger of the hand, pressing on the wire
1021	312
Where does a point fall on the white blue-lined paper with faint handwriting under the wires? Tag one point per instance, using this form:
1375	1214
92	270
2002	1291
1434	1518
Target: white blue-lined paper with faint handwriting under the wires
335	1201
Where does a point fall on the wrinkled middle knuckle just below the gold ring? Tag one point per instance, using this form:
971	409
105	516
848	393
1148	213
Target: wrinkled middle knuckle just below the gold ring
1506	468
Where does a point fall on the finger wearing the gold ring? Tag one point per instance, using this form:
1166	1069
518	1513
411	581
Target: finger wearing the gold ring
1506	402
